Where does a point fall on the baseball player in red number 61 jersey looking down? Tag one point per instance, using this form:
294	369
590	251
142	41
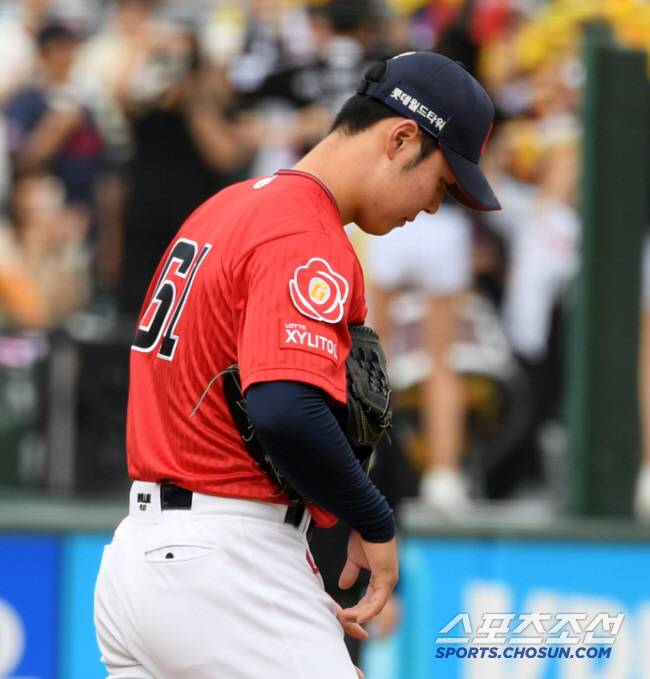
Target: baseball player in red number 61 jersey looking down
210	575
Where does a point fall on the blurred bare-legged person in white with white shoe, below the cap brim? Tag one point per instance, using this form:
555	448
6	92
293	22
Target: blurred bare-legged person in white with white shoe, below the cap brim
433	256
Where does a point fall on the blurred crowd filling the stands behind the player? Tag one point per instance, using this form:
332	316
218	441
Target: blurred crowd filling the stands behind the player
119	117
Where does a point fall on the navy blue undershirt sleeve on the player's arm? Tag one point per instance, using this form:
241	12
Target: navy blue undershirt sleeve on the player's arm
303	438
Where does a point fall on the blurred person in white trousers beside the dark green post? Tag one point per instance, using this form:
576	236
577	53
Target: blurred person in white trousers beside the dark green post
537	184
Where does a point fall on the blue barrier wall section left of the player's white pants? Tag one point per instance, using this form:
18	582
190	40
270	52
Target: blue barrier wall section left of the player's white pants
46	605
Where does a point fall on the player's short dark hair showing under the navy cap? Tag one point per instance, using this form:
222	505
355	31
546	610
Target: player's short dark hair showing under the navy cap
361	111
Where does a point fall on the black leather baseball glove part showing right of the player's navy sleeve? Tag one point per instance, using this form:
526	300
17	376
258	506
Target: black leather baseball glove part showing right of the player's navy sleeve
369	410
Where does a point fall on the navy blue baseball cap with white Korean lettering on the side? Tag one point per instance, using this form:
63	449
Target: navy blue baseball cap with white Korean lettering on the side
448	103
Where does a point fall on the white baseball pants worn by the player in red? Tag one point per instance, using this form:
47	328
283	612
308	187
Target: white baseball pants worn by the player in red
224	590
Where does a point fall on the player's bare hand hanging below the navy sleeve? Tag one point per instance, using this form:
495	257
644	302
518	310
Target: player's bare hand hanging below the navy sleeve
380	558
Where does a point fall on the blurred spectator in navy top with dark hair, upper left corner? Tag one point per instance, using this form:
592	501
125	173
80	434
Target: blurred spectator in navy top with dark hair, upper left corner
50	128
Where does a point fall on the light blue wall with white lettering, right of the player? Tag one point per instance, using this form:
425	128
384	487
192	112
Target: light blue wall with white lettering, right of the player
442	578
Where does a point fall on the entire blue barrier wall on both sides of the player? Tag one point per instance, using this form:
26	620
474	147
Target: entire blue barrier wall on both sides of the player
47	582
